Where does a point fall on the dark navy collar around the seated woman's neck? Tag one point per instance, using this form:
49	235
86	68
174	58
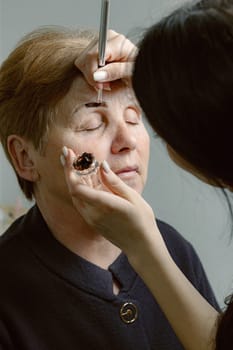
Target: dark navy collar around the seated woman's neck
71	267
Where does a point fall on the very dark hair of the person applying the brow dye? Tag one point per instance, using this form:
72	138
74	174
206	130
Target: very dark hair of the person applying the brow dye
183	79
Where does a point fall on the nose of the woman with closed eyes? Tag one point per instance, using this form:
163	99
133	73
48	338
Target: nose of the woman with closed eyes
124	138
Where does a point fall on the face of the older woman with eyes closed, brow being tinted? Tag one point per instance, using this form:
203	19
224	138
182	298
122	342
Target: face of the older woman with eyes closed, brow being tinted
112	131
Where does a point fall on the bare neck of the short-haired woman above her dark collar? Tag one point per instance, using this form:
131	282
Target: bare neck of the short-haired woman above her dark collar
70	229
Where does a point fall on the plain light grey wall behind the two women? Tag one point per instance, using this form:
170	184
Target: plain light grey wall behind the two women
195	210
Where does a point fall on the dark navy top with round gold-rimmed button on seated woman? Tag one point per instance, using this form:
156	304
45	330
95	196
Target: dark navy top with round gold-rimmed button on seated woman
52	299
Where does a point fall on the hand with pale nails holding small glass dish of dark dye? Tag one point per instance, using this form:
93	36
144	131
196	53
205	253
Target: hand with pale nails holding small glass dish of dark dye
113	209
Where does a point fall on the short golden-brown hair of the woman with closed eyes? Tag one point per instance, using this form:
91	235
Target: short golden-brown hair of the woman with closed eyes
33	79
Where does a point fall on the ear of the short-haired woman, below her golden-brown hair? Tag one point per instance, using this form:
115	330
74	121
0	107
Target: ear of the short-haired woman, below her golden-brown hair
21	153
